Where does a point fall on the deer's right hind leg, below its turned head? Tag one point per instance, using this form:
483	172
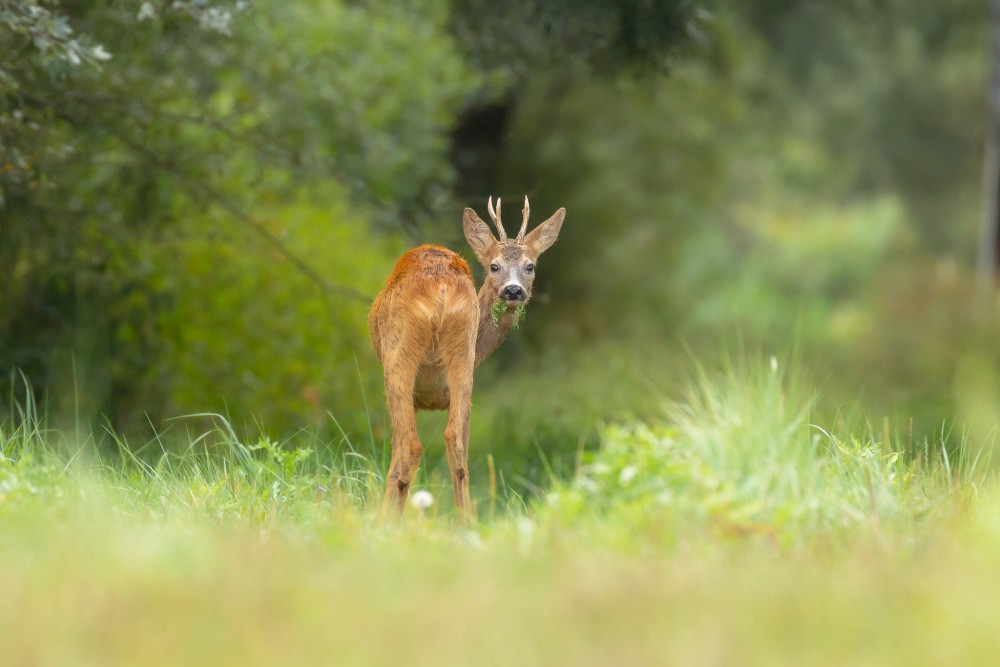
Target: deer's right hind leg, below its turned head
460	361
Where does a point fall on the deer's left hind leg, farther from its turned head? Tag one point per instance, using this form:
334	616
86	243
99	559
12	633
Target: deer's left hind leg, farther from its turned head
400	369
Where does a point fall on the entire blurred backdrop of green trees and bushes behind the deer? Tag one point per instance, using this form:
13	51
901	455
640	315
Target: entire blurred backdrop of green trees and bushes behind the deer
200	200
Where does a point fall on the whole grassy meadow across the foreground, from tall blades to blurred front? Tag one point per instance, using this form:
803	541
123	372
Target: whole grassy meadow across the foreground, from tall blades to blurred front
731	531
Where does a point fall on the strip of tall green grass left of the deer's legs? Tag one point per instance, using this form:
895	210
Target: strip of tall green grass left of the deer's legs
215	477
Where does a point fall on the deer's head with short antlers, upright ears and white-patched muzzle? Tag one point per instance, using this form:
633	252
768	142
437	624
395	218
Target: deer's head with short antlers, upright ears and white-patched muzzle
510	263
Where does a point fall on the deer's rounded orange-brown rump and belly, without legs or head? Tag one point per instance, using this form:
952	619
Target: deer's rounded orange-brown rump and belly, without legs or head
426	315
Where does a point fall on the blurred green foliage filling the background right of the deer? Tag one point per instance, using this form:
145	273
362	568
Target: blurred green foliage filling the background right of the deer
758	193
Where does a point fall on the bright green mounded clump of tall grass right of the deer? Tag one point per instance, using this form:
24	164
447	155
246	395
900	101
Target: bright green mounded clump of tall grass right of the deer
739	456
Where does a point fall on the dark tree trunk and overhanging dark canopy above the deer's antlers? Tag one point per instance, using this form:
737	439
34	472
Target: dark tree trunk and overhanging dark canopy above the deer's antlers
527	45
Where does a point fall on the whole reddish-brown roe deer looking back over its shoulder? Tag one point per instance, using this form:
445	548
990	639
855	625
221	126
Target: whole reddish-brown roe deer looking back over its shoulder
430	331
